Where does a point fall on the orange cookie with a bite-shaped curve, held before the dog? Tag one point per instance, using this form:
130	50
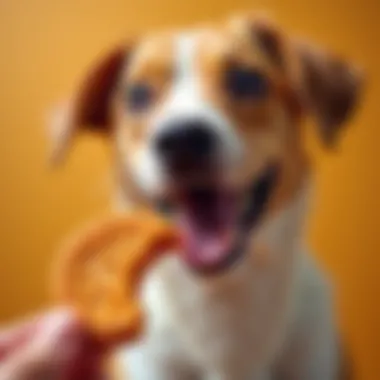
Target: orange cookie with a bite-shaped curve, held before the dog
98	273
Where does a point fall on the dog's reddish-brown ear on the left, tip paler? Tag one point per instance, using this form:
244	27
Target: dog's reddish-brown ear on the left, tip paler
90	108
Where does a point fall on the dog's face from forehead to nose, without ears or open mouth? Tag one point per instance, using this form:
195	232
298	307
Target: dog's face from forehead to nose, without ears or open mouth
198	107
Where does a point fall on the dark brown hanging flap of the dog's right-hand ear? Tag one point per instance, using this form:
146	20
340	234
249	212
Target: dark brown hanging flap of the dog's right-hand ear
330	89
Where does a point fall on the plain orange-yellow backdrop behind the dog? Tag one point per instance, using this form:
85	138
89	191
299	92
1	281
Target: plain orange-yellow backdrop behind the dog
46	45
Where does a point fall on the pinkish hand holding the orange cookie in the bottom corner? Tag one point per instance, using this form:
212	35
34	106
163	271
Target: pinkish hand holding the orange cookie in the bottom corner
52	343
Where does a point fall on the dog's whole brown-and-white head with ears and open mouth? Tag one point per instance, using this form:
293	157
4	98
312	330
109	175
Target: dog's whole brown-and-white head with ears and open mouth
207	123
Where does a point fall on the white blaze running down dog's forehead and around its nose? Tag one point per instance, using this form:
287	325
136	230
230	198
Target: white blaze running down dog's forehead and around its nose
184	101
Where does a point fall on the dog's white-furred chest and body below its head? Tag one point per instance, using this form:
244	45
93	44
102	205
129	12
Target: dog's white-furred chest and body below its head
236	326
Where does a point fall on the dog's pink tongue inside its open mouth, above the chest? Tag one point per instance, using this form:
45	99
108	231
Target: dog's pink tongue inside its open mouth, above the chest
207	228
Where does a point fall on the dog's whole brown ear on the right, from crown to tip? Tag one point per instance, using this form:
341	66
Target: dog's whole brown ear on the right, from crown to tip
325	86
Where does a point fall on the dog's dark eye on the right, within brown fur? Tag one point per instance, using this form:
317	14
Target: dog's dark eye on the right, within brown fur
245	83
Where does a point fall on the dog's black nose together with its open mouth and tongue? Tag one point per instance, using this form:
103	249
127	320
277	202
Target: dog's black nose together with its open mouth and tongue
214	217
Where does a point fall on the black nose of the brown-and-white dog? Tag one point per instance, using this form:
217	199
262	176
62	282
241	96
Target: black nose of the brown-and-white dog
187	140
